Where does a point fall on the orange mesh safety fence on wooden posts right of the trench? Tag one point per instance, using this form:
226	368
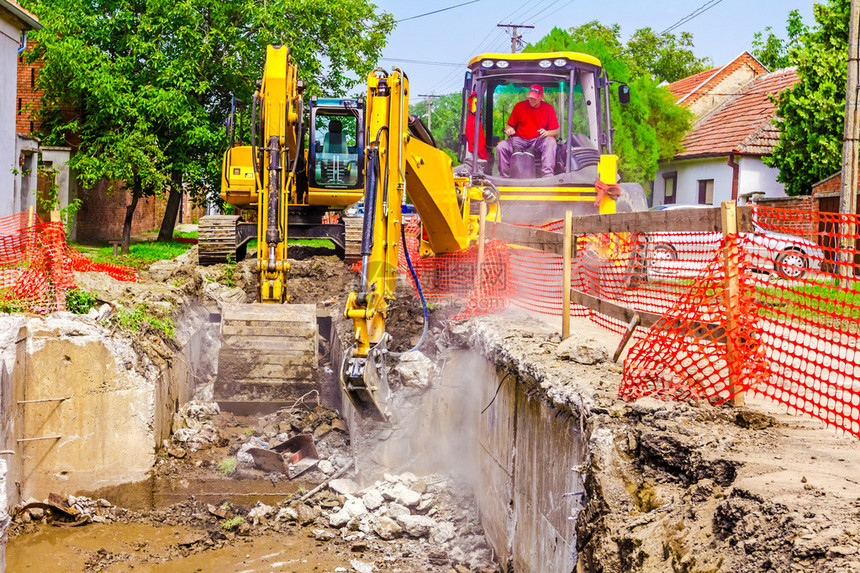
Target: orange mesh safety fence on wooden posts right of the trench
764	313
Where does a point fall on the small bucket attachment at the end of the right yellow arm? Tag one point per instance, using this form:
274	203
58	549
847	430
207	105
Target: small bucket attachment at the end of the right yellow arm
365	381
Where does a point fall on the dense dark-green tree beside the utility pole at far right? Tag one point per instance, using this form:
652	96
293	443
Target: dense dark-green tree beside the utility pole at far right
810	115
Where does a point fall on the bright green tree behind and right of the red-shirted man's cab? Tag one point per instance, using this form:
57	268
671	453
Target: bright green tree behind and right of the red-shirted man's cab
648	129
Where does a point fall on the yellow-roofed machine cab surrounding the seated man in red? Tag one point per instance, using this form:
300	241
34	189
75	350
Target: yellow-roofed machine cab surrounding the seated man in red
539	182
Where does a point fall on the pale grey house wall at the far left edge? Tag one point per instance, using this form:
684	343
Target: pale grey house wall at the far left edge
9	37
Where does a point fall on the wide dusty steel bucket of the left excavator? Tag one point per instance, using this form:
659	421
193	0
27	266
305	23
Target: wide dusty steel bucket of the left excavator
268	356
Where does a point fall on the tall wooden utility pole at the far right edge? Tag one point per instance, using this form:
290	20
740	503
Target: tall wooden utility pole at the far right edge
851	138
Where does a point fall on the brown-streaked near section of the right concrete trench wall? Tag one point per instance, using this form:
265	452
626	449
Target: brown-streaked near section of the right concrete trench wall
531	454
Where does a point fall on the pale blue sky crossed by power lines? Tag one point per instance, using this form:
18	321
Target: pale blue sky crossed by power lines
455	36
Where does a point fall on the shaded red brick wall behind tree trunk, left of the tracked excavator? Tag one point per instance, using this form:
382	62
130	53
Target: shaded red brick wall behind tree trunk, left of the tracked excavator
103	212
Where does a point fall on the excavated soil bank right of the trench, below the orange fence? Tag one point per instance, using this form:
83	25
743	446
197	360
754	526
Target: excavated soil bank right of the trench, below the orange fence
687	486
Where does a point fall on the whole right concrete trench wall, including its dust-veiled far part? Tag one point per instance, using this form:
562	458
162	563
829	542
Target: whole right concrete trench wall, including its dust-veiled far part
521	457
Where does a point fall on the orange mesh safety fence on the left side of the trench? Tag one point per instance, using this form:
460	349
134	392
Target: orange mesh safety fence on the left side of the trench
37	265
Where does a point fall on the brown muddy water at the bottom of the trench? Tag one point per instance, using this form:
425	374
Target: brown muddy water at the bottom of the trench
146	548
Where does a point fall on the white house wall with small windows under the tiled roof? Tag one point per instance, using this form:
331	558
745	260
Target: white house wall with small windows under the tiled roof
753	176
